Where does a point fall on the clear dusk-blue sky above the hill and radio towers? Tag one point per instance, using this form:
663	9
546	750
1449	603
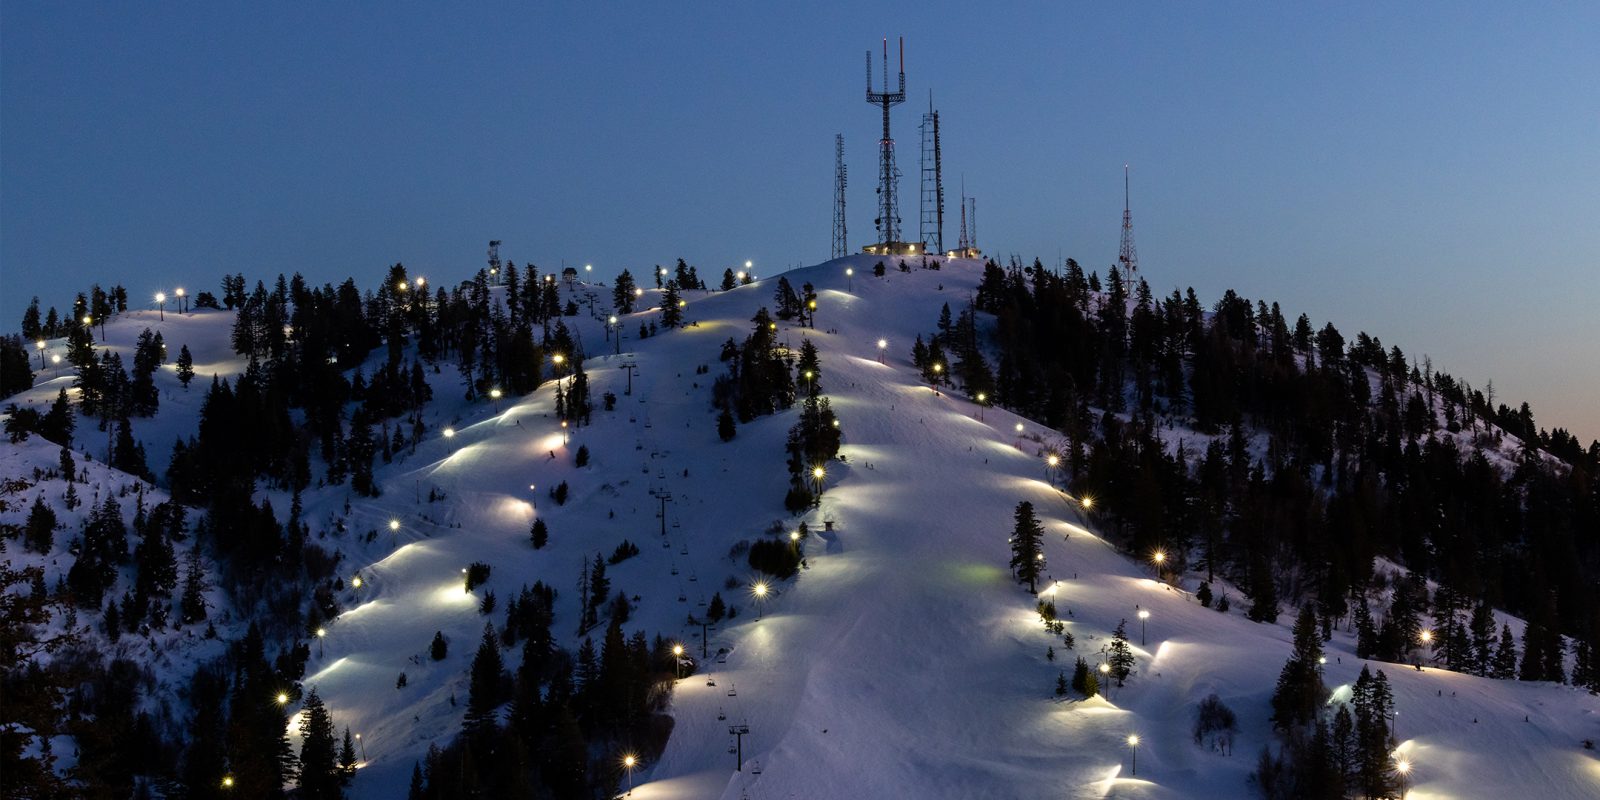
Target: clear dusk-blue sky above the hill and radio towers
1426	174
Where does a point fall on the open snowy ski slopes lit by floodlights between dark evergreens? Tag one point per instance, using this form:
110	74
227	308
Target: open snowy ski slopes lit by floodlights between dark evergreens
903	662
